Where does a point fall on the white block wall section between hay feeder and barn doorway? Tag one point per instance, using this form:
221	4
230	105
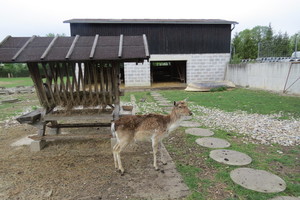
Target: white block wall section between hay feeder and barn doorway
137	74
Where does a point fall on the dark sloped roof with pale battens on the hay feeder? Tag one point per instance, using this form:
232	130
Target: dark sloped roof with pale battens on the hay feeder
78	48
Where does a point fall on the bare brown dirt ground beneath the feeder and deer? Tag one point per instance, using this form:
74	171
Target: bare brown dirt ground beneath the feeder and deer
82	169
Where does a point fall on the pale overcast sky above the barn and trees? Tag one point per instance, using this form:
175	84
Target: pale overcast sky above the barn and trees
38	17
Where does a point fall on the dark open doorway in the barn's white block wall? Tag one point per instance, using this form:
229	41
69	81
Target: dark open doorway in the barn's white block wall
168	71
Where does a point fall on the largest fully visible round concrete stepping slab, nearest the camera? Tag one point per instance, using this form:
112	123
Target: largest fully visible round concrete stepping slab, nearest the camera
258	180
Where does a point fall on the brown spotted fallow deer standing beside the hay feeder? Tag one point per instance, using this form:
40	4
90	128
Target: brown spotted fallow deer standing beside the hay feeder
152	127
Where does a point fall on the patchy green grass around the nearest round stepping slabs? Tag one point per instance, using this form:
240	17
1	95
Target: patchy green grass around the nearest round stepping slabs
264	158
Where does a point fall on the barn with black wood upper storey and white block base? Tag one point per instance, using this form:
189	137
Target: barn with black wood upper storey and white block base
181	50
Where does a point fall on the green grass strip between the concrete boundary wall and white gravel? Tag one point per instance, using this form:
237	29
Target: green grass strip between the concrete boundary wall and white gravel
251	101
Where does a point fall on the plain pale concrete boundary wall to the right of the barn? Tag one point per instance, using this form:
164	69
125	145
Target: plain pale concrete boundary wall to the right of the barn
269	76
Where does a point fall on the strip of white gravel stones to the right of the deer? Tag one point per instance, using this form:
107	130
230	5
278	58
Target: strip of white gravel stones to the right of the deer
265	129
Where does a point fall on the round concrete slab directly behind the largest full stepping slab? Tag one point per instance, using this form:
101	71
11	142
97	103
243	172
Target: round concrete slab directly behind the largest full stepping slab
230	157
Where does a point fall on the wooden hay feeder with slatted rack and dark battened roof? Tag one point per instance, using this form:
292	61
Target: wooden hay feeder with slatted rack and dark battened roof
76	78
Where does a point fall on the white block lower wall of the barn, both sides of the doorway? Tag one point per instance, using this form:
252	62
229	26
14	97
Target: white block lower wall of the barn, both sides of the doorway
200	67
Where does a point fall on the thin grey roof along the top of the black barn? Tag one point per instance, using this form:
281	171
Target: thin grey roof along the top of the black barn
151	21
